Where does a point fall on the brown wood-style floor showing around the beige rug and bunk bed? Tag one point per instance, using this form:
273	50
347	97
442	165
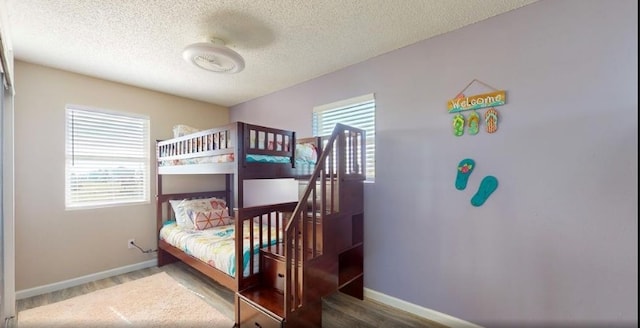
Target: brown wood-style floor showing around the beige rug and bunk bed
338	310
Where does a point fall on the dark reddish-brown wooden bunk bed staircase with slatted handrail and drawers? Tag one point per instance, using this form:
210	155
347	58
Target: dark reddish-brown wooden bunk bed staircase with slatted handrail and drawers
297	273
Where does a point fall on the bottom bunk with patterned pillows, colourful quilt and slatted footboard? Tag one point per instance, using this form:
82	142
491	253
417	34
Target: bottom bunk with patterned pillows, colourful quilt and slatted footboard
195	228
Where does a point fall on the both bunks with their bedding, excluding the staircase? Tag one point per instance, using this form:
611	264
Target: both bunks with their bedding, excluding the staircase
240	151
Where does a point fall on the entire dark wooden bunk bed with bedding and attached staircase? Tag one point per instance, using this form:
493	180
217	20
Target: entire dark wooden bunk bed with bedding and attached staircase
274	279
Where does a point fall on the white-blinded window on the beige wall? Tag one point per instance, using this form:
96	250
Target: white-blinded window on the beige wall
107	158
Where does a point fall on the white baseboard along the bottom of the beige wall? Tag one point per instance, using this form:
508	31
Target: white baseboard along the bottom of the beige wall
26	293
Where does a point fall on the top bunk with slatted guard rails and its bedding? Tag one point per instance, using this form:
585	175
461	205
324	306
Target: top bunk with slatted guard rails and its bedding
246	150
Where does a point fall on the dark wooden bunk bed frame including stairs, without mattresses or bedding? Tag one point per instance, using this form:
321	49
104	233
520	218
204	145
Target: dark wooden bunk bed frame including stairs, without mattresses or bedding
321	248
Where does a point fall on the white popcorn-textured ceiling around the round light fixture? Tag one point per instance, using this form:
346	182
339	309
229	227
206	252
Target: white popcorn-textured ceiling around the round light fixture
283	42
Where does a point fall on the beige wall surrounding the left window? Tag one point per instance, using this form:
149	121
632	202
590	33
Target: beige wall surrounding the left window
53	244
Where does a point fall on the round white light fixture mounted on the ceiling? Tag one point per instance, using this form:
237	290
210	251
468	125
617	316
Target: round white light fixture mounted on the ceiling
214	56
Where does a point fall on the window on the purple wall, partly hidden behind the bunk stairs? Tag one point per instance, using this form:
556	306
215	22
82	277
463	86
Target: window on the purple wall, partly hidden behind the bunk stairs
359	112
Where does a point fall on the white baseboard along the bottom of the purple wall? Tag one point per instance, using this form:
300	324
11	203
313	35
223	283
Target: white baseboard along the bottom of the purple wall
433	315
